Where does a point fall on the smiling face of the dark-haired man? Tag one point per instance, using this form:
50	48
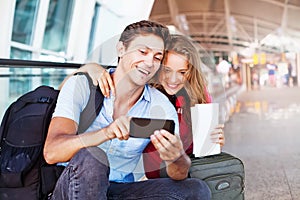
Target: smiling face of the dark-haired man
141	60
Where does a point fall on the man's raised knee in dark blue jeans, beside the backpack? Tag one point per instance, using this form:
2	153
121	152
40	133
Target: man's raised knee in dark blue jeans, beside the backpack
88	168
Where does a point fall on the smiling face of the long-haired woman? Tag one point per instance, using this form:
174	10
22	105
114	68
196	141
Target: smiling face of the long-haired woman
172	75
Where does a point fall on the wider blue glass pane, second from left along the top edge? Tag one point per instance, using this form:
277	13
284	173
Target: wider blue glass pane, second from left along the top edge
58	25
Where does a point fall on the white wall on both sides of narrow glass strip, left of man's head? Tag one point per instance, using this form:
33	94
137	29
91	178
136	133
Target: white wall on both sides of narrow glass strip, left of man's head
113	17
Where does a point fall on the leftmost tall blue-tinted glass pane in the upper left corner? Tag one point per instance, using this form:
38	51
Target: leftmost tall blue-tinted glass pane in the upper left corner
24	21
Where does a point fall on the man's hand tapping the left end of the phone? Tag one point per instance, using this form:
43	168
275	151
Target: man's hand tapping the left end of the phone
118	129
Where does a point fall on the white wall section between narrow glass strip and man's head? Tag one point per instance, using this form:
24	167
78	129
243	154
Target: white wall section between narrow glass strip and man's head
114	16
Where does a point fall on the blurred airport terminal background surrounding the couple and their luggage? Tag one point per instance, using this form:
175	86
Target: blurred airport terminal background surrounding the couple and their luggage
250	53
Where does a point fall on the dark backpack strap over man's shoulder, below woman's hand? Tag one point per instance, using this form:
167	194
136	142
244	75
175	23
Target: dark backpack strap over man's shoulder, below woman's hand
93	107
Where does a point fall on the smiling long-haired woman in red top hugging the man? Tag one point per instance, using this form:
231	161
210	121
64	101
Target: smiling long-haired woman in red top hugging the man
181	80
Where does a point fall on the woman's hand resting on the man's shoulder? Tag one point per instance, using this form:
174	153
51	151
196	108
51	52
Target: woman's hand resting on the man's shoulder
100	77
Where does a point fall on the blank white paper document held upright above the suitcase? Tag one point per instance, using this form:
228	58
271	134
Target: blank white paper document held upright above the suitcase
205	117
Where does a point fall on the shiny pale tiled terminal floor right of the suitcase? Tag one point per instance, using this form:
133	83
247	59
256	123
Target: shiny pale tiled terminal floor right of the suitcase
265	134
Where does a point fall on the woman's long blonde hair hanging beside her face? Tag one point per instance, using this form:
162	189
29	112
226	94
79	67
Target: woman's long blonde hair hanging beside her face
195	84
